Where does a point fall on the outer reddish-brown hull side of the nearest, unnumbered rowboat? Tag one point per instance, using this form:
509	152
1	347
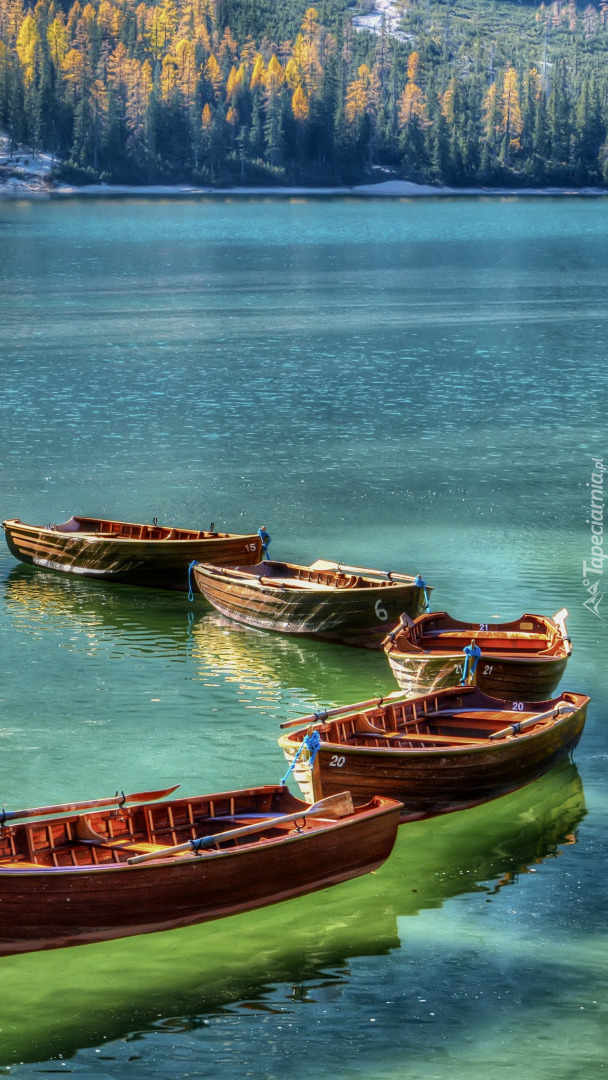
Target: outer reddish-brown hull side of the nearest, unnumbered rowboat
58	907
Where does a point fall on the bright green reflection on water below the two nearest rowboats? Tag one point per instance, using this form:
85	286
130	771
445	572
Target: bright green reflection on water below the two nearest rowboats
61	1002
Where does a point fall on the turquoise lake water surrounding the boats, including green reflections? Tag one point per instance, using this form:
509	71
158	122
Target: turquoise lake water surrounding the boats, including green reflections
409	385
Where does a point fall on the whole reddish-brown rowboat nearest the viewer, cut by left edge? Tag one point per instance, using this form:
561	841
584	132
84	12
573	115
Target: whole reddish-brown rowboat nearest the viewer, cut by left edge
71	876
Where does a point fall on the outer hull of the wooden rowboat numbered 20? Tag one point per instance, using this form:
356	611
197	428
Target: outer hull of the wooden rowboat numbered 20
440	780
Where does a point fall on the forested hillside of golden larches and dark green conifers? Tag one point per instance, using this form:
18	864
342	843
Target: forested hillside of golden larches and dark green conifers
458	92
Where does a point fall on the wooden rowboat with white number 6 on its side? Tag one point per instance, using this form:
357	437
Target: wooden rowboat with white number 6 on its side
348	604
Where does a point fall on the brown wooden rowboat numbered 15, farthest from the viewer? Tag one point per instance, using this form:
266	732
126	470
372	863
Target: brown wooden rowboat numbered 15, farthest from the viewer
129	553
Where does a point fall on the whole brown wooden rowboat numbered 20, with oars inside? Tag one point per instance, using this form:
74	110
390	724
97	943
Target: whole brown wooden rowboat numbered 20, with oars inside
439	753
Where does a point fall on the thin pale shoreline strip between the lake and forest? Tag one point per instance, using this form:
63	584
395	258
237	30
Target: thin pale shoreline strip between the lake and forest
19	190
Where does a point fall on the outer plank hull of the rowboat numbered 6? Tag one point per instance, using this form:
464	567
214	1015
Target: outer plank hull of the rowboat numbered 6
357	617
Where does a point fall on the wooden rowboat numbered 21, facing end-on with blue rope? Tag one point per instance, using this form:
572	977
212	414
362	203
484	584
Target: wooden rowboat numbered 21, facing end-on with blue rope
521	659
